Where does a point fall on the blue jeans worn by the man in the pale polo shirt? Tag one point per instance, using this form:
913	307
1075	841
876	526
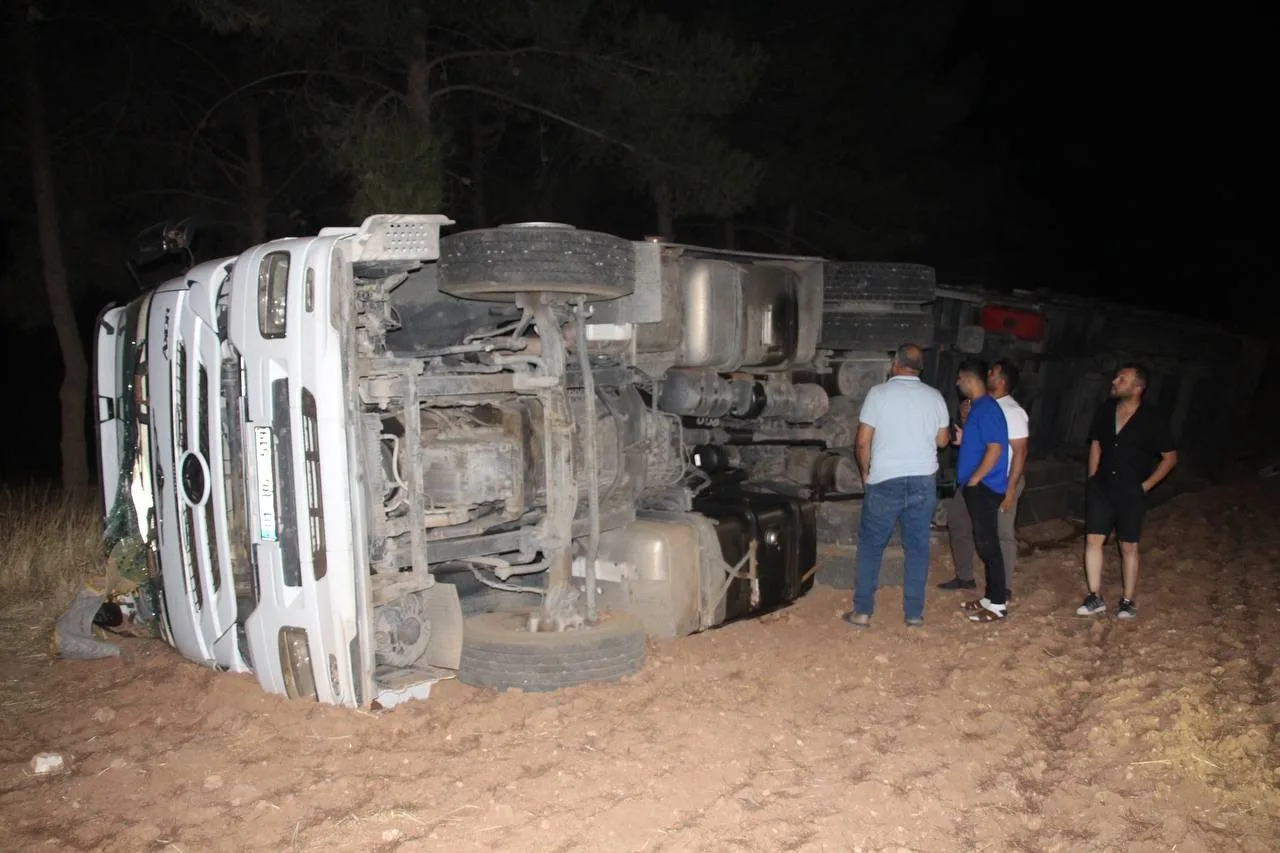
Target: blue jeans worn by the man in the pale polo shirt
912	501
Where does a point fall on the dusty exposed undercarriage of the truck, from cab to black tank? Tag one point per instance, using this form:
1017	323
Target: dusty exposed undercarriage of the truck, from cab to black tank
584	421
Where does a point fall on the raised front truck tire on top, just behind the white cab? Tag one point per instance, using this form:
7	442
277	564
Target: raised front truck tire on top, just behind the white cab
496	264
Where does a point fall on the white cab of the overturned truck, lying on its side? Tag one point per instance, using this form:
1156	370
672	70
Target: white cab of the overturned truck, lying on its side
220	395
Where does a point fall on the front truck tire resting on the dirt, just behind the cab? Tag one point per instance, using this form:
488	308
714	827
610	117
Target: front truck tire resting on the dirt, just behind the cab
499	653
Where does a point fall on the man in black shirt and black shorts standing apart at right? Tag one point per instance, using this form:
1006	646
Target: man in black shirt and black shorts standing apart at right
1126	440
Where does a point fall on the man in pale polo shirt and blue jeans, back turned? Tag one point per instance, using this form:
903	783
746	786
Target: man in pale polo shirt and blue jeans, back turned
902	427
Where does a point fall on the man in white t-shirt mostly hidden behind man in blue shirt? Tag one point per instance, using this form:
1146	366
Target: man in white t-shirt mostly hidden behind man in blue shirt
1002	381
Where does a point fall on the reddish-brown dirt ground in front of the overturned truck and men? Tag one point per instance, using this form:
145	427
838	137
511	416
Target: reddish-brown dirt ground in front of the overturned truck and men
790	733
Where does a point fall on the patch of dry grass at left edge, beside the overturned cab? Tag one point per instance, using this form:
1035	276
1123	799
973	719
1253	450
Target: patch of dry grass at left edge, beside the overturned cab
49	545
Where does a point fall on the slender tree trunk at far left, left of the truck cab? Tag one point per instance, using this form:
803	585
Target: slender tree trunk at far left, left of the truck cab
75	389
